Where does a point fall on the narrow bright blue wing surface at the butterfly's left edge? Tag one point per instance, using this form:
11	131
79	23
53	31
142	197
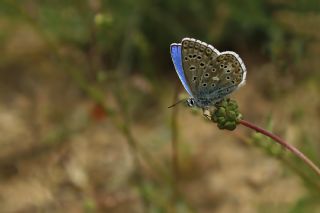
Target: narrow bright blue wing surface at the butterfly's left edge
175	50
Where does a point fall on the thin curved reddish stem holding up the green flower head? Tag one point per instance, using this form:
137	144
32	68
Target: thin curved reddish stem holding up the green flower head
289	147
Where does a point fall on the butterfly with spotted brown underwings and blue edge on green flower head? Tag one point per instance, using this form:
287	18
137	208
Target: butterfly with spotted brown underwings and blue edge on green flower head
206	74
